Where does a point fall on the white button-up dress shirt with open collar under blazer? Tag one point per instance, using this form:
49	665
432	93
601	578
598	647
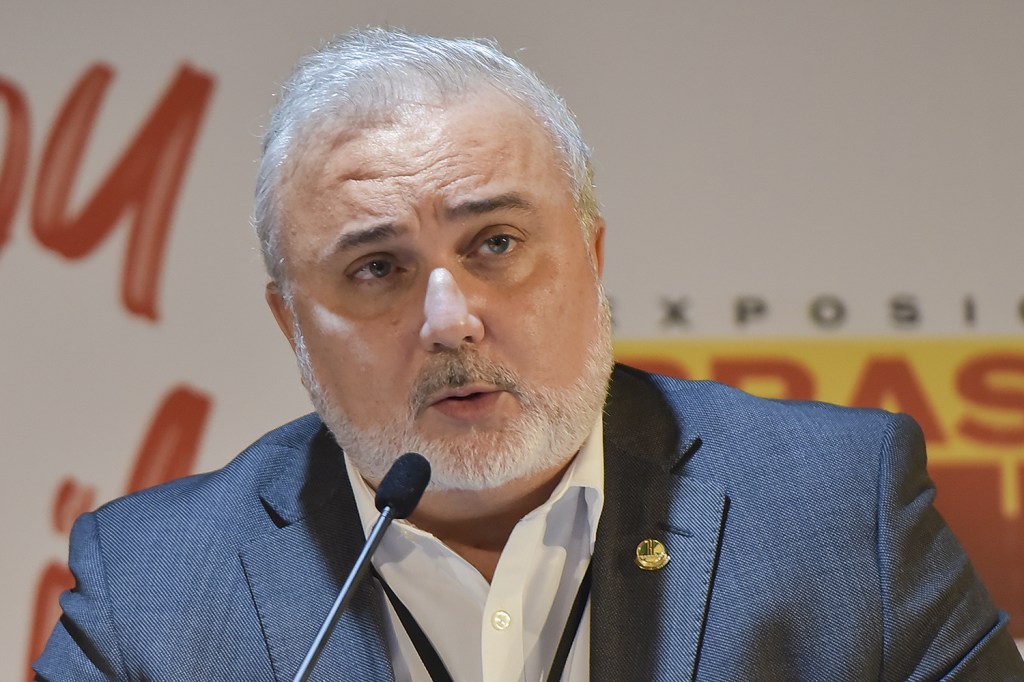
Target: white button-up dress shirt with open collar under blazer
506	631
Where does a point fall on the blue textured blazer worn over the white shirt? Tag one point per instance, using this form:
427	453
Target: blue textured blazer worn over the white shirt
803	539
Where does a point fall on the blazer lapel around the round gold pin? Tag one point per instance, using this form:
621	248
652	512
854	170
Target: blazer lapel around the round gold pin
650	624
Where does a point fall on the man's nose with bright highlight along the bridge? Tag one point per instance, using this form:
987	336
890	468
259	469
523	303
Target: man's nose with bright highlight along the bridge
448	322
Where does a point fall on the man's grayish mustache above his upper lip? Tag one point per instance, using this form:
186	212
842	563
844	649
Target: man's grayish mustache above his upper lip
458	368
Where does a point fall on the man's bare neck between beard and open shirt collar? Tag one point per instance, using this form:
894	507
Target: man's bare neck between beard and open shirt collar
477	525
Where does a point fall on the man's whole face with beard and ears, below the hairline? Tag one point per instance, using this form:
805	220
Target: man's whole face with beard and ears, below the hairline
445	299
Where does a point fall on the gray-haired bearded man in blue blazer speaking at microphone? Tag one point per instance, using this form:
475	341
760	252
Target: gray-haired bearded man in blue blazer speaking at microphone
430	225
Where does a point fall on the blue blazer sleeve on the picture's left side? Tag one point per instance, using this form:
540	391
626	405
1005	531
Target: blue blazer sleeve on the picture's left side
84	644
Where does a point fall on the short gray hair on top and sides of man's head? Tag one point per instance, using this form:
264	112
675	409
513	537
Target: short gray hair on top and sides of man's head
370	73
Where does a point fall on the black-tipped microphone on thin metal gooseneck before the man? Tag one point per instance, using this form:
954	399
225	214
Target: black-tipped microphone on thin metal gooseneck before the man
398	496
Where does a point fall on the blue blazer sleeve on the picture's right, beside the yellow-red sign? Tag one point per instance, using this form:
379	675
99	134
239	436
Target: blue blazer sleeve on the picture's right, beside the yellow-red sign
940	622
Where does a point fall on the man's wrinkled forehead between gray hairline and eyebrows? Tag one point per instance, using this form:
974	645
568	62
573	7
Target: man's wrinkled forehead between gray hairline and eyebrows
372	177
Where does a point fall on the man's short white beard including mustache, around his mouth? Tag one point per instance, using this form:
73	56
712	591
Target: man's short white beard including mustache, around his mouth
551	428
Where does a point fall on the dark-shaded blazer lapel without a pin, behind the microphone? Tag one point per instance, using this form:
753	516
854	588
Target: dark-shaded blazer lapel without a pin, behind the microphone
295	572
